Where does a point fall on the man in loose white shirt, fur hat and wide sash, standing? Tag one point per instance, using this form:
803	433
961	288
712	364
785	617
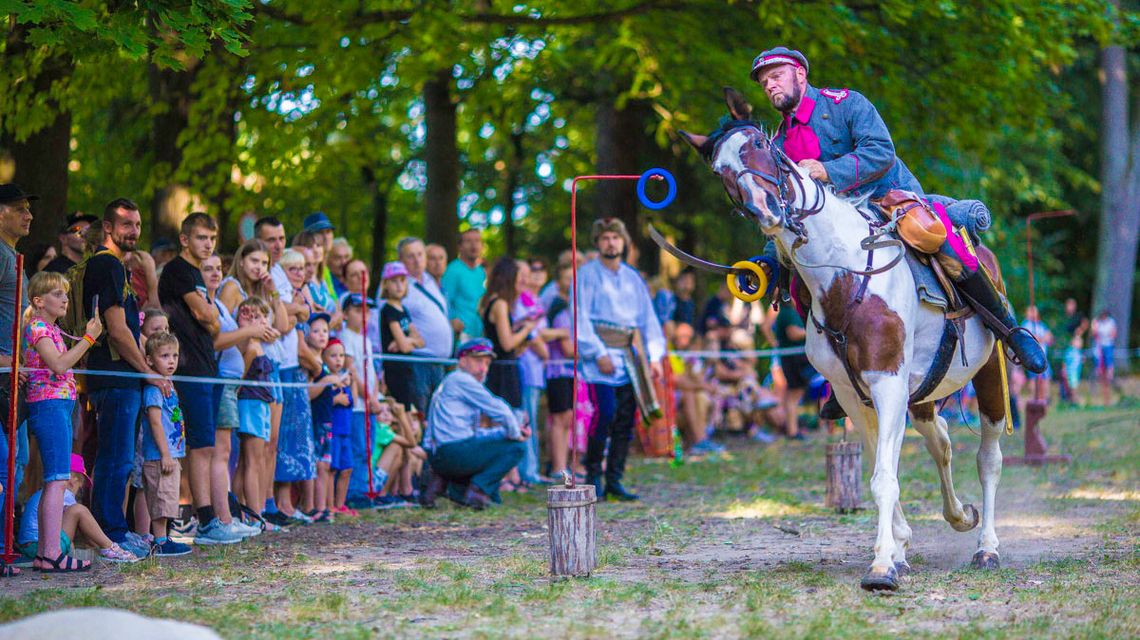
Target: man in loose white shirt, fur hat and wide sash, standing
613	293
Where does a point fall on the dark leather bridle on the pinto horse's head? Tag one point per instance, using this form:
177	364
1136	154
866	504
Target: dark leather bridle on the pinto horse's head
785	180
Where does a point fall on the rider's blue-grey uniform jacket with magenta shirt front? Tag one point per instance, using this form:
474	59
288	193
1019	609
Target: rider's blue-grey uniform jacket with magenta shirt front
853	143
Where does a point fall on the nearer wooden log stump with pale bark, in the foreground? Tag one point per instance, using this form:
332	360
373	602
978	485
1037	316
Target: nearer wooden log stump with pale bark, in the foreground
571	514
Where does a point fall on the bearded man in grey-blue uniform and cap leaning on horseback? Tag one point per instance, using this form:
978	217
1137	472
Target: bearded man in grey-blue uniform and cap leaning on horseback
840	137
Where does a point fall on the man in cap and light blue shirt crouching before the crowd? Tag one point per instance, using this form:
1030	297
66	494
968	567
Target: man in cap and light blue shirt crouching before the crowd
468	460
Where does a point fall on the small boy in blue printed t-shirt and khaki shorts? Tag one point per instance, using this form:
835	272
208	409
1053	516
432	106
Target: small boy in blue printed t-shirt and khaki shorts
164	443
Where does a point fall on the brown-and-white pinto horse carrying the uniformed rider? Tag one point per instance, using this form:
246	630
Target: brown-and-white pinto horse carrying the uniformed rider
866	303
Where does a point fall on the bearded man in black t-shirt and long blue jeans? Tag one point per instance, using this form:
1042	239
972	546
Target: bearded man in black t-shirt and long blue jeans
117	401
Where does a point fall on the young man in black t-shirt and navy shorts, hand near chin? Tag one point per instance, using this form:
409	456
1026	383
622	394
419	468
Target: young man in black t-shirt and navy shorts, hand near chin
196	321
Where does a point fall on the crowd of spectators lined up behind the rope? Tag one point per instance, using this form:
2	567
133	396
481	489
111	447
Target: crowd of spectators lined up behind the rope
304	394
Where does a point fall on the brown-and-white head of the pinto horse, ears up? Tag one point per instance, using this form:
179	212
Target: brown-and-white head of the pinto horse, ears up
756	174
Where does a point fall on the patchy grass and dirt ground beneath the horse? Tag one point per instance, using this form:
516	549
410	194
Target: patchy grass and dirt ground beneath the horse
695	560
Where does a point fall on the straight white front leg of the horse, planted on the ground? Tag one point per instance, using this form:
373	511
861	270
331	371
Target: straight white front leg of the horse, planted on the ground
889	393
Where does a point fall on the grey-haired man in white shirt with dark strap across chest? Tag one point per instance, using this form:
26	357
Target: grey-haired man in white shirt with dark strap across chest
428	309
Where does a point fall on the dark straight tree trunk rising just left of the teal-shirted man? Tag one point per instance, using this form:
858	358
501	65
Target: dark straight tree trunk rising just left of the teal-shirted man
443	157
